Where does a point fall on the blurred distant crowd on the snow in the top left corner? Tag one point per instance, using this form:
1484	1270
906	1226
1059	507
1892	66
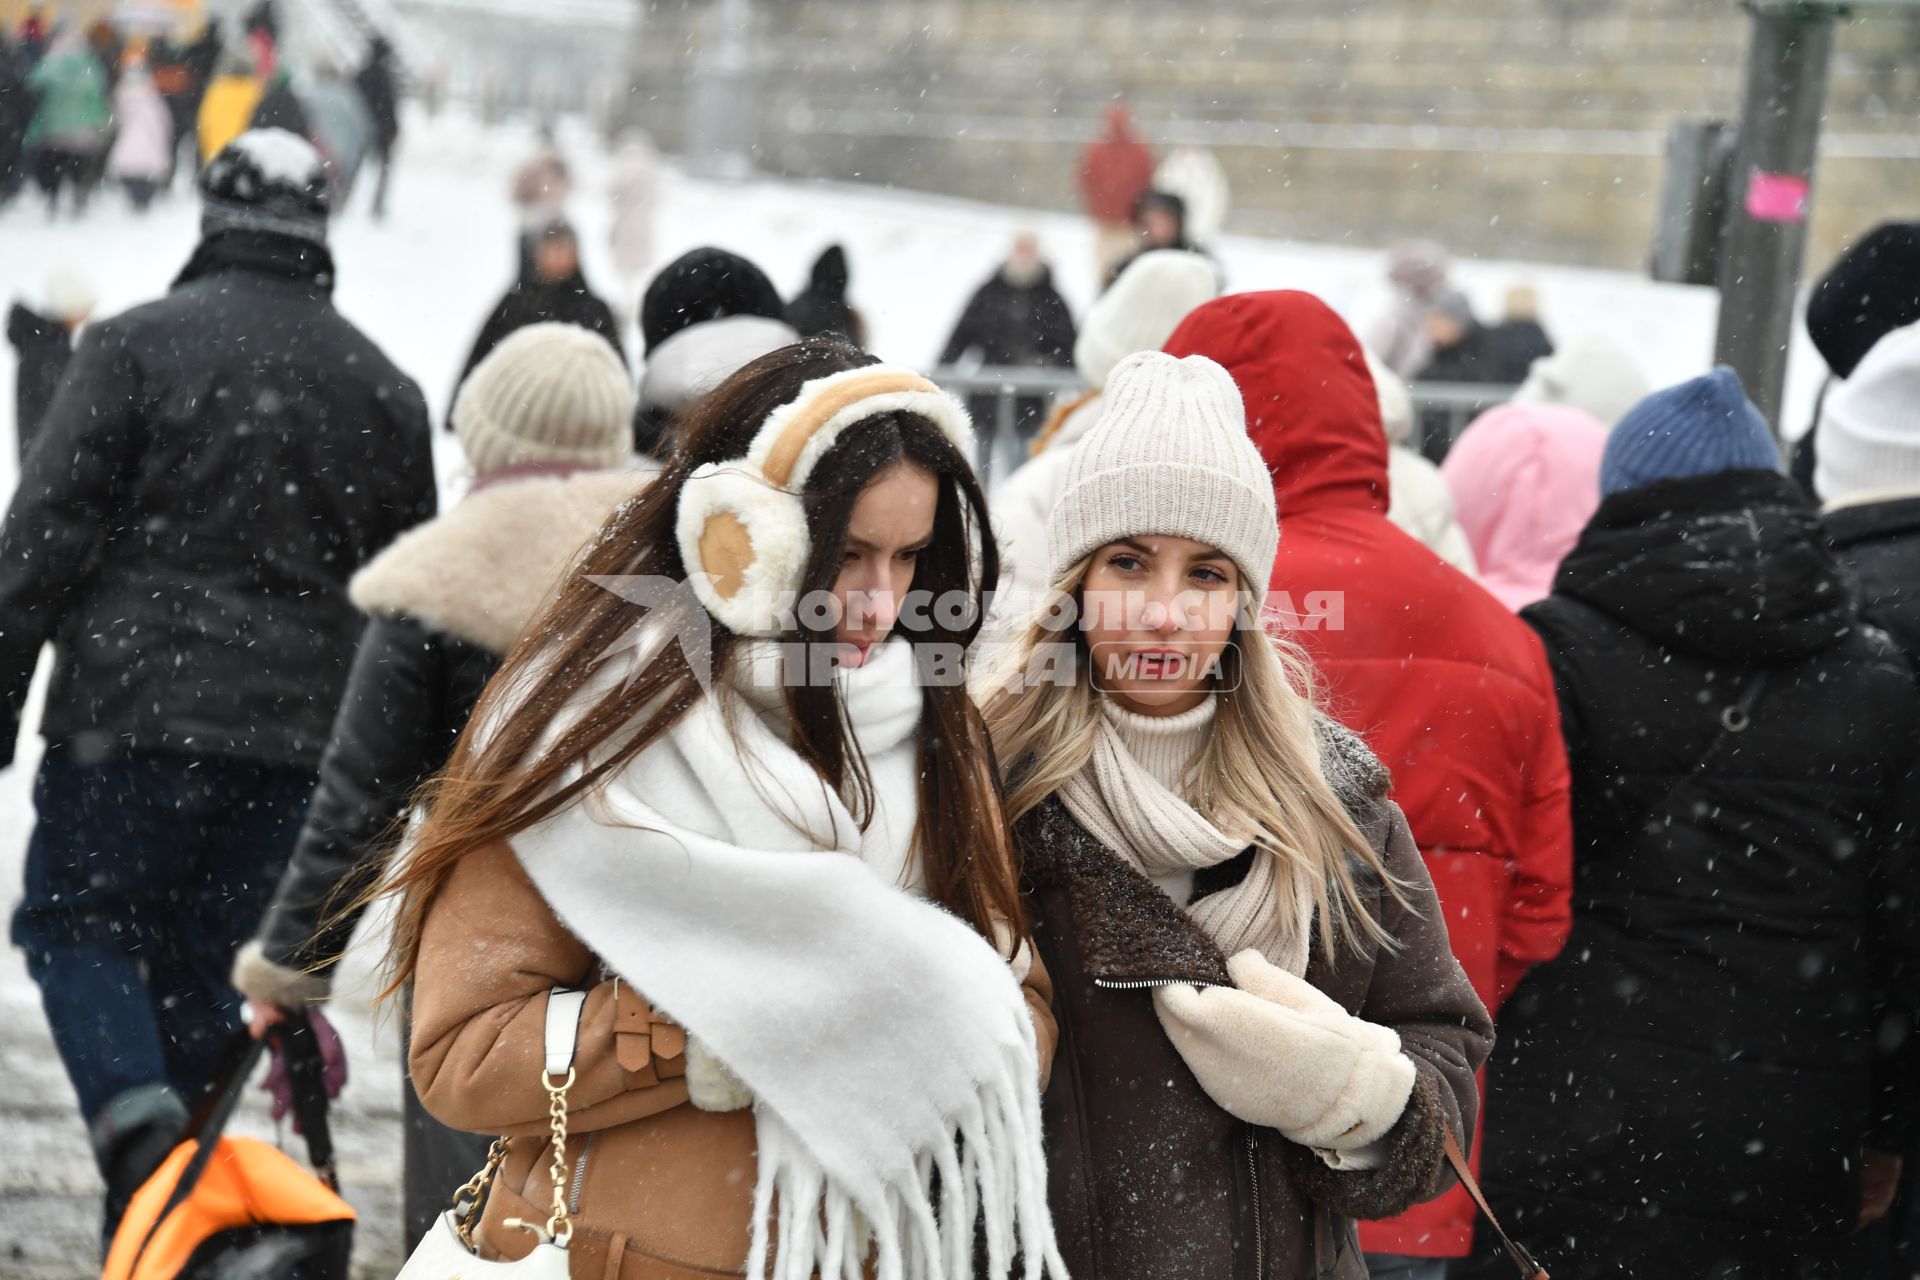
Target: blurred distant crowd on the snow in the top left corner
89	105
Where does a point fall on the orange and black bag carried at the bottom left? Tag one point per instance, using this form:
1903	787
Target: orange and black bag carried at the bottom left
237	1208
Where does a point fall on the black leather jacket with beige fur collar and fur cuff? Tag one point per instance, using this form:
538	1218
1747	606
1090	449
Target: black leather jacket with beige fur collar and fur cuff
444	605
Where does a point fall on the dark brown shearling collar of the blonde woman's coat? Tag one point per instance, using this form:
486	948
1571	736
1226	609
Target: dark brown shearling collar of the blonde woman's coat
1126	926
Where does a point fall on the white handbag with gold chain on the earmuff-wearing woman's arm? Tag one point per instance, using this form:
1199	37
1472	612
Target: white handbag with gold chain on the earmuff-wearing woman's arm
448	1250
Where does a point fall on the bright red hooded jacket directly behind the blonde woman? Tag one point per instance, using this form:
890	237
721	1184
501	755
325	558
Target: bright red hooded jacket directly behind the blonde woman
1449	688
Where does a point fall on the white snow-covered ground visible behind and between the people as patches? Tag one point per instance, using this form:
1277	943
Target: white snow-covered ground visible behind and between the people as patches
420	285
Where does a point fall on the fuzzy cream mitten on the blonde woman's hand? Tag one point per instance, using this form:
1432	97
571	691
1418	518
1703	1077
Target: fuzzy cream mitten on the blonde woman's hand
1274	1051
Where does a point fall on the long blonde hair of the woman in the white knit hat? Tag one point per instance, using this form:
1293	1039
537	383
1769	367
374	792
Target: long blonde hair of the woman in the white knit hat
1260	772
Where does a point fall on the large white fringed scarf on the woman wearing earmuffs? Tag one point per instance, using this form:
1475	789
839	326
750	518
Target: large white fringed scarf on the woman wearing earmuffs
886	1045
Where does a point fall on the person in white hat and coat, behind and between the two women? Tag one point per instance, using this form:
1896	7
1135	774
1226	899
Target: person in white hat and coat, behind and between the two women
1143	308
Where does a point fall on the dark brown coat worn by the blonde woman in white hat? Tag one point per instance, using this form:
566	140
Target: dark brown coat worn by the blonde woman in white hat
1149	1177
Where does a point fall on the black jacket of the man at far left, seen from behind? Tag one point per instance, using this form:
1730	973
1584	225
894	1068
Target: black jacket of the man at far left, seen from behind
212	473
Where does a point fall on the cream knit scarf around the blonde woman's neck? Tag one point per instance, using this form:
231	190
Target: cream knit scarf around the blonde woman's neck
1157	832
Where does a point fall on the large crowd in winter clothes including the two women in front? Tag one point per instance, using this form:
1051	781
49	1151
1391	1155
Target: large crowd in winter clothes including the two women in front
1255	811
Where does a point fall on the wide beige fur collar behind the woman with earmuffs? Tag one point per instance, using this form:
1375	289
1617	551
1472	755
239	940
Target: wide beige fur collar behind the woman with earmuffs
483	569
